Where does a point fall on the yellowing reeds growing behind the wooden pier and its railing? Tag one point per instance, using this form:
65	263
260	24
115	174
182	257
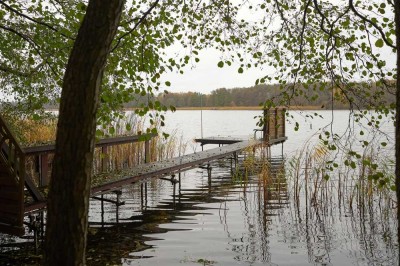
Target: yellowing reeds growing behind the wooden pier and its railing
112	159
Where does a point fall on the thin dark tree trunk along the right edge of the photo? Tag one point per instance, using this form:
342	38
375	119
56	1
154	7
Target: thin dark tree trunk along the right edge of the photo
397	122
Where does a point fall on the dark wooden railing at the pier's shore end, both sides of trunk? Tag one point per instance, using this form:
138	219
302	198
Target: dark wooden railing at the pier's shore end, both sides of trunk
19	194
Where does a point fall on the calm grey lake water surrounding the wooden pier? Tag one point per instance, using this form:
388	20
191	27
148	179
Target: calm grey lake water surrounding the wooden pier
283	217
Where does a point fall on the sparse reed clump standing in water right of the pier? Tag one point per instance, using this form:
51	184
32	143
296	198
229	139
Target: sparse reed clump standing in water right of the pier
353	182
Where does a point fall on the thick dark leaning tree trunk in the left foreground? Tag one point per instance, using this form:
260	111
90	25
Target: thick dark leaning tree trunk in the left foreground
68	200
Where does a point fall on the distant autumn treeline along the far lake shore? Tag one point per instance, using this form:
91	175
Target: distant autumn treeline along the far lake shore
312	95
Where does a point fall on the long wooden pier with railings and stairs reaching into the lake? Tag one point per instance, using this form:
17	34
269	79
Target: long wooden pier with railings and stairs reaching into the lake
21	196
